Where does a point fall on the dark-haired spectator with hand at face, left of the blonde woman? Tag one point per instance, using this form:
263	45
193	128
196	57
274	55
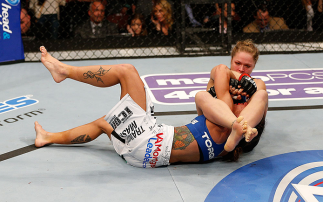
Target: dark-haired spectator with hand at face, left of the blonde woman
137	26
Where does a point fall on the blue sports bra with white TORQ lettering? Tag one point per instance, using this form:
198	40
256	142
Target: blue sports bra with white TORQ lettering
208	148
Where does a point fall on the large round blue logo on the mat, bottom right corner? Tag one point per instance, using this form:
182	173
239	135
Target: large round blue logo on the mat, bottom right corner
291	177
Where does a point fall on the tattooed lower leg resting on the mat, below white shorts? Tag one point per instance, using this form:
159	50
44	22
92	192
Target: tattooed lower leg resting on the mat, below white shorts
81	134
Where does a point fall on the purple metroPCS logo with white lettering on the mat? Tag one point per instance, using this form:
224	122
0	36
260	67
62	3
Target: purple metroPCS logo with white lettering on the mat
294	84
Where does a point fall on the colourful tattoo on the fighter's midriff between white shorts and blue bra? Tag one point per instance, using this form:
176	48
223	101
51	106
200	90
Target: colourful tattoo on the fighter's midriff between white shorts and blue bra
182	138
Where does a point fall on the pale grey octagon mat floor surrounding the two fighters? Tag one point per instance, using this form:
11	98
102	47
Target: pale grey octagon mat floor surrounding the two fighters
94	172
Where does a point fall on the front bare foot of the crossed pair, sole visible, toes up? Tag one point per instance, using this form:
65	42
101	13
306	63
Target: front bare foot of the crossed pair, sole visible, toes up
238	129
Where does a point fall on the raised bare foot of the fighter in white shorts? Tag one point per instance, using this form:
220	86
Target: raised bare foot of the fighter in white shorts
55	67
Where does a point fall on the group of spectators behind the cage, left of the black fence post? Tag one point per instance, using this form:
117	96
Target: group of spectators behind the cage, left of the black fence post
96	18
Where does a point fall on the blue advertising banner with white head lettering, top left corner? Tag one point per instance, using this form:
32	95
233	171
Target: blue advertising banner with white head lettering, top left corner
11	47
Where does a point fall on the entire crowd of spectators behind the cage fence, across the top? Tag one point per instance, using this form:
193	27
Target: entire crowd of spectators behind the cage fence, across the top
59	19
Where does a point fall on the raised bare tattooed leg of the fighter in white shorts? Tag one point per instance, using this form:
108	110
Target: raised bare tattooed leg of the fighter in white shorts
99	75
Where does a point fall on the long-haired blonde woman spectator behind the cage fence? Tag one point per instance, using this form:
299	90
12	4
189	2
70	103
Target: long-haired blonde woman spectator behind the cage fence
162	17
